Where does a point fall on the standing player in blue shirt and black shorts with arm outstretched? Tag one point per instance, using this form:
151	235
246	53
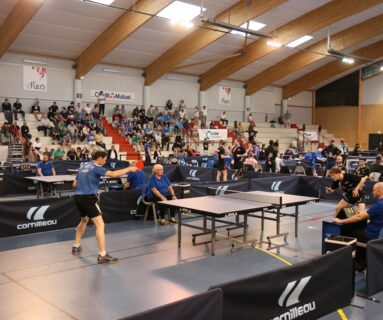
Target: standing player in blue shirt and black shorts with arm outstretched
86	184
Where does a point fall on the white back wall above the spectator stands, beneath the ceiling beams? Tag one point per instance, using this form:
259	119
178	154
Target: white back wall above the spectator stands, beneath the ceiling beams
61	77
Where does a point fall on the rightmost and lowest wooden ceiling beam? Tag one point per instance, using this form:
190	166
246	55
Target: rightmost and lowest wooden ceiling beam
332	69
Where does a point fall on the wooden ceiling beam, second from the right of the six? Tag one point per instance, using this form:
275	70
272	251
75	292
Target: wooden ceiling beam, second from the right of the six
339	41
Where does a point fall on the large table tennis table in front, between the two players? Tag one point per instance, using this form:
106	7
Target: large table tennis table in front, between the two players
247	204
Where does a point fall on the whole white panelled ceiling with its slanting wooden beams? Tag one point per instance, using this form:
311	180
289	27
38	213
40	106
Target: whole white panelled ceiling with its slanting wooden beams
90	34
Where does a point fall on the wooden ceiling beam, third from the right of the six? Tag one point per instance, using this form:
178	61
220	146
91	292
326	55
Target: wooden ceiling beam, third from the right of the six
306	24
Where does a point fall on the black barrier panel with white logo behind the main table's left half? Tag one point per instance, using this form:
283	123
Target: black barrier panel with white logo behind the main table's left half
199	190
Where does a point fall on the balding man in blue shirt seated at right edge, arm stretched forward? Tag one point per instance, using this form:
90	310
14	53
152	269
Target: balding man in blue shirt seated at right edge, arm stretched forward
374	226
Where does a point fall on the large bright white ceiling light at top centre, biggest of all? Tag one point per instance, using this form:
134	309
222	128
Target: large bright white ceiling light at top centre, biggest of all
180	12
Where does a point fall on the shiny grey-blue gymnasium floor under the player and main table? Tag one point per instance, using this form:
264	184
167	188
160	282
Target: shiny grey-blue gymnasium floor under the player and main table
40	279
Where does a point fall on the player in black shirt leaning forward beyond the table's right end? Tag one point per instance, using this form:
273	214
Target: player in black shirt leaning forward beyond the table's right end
350	184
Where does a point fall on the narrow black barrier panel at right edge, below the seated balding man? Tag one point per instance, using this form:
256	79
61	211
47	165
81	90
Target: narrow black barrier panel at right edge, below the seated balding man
374	279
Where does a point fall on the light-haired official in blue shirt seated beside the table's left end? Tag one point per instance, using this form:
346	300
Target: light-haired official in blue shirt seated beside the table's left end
160	189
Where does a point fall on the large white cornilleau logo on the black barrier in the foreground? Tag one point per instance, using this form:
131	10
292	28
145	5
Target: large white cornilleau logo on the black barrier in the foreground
290	297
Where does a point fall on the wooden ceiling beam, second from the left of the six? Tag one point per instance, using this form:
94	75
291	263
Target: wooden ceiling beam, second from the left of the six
116	33
